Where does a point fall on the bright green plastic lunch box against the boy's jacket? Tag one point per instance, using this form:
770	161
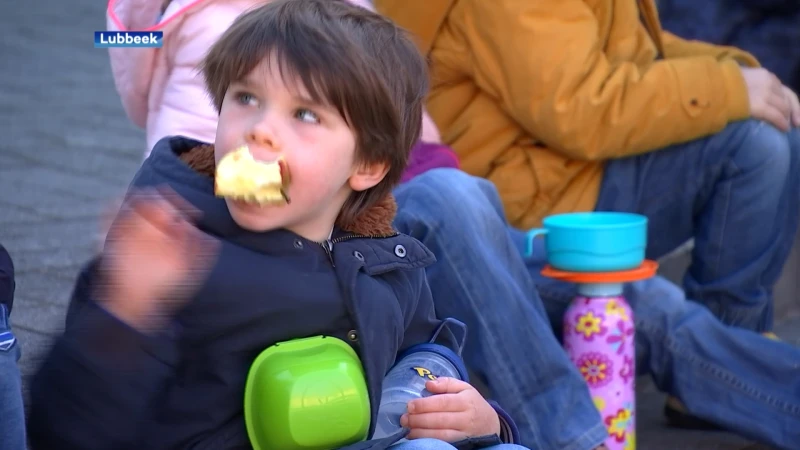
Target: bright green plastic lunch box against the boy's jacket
306	394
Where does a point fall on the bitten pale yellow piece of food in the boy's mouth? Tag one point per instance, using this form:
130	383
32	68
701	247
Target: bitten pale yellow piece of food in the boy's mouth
240	177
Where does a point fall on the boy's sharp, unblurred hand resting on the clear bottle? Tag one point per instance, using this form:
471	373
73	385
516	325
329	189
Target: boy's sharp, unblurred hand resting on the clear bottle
458	411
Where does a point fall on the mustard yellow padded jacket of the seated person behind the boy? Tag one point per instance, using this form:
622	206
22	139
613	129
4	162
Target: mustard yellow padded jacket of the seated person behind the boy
535	95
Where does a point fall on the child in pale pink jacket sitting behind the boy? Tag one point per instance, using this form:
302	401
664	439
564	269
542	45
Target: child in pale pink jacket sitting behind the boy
160	88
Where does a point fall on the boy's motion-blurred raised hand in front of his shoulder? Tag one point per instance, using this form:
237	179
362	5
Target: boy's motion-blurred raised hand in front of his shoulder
153	259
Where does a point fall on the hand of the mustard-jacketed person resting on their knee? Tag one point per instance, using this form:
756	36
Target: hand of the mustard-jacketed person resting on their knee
768	100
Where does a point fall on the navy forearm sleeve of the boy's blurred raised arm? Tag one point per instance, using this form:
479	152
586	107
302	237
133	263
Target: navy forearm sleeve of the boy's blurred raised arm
98	382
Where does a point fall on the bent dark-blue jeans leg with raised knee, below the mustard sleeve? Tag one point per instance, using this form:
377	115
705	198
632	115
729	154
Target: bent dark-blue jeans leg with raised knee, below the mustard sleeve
737	193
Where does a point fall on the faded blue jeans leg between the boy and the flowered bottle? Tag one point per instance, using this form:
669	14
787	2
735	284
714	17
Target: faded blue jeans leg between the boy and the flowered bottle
480	278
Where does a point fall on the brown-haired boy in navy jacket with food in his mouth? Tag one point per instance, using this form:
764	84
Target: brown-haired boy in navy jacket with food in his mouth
190	288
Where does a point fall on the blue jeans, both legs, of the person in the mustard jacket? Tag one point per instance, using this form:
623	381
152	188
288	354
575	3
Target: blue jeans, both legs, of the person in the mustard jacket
737	193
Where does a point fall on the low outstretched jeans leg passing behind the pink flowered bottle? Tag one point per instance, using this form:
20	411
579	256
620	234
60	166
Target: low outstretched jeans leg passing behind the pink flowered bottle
727	375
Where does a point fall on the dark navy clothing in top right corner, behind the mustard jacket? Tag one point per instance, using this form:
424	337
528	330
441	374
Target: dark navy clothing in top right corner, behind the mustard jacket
769	29
